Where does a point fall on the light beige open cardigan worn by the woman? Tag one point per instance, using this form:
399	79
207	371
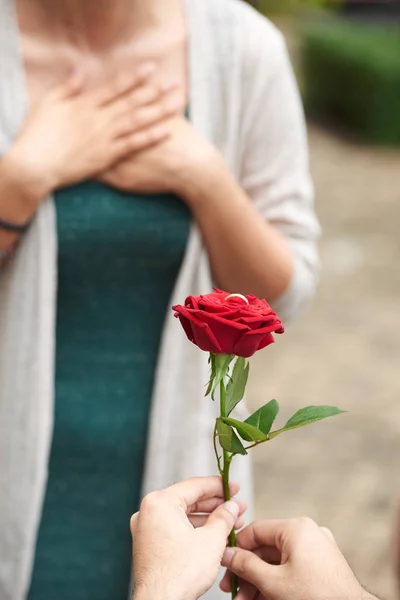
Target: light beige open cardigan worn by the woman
244	99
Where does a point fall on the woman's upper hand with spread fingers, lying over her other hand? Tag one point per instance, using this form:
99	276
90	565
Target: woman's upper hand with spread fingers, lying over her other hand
74	134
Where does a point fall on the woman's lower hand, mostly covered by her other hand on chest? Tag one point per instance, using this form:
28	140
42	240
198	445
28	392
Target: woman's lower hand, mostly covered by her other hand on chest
167	167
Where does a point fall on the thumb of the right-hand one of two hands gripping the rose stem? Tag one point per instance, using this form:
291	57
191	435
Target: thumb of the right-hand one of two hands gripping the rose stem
250	567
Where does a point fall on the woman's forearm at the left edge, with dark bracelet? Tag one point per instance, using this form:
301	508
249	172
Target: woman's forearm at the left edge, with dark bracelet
20	195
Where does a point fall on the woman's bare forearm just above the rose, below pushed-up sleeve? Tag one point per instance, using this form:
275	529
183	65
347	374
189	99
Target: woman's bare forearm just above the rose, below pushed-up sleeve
247	254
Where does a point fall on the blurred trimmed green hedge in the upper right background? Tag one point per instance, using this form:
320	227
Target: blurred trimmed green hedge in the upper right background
351	73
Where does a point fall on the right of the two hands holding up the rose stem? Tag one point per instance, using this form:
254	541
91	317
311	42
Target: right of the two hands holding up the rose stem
290	560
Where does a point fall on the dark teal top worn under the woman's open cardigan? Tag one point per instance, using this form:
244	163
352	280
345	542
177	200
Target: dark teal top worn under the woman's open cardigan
119	256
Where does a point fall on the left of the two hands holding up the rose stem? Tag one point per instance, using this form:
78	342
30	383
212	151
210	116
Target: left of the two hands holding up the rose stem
179	537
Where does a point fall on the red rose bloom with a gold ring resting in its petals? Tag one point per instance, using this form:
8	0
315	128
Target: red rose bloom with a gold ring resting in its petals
224	323
